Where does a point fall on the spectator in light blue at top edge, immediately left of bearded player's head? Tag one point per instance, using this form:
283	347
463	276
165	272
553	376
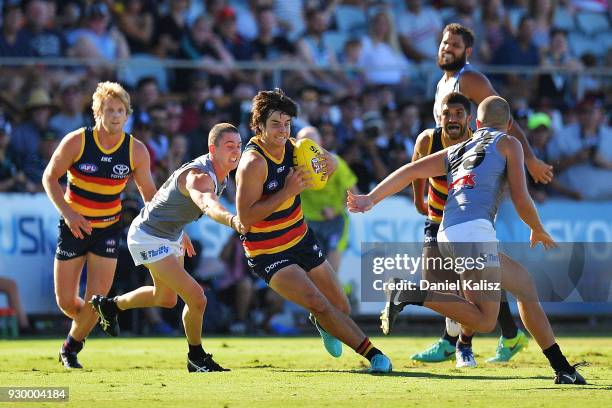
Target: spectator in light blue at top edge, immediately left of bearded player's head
419	29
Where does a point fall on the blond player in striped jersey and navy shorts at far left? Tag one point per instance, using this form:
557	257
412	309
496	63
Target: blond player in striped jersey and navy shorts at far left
98	162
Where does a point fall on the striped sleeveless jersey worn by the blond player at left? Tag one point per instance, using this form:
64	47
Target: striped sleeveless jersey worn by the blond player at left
97	177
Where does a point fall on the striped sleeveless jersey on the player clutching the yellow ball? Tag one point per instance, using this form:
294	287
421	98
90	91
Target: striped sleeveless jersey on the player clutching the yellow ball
285	227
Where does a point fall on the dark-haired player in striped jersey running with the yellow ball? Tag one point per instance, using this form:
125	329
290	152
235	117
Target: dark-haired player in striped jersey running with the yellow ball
279	246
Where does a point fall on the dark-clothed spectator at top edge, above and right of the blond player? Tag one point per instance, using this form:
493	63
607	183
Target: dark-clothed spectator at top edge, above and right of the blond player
137	24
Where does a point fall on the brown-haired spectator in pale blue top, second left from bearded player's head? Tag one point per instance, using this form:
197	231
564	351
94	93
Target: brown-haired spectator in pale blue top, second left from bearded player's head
380	51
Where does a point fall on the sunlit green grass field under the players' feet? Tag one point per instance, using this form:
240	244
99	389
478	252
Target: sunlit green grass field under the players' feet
296	372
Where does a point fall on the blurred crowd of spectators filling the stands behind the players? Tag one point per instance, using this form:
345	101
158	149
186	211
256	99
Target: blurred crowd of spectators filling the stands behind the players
363	79
